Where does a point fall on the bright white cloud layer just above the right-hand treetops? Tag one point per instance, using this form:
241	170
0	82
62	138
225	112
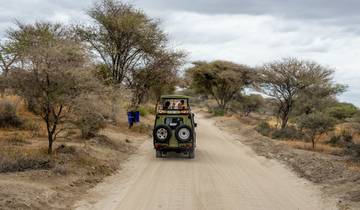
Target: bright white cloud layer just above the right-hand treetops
255	39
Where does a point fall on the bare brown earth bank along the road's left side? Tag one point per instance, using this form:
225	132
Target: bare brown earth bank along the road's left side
80	166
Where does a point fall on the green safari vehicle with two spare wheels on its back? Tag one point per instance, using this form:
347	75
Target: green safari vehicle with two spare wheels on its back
174	129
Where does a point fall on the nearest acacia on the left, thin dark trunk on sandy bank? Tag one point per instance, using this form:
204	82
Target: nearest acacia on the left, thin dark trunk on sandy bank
53	73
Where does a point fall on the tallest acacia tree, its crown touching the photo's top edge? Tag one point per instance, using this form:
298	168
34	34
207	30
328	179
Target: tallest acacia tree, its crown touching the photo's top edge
123	37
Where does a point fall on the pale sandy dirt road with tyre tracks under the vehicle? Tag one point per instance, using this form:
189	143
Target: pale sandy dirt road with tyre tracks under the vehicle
224	175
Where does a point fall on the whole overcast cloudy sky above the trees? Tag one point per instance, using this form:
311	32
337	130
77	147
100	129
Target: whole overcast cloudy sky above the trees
251	32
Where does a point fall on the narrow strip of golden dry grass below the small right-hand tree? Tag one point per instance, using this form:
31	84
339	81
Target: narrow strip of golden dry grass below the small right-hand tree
323	148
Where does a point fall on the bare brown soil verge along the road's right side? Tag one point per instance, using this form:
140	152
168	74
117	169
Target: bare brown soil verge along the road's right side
338	176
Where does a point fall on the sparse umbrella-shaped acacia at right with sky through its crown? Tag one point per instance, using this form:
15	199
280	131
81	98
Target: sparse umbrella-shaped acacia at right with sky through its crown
291	79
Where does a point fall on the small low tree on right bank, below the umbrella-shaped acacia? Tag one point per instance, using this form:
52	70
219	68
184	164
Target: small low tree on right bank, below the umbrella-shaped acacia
316	124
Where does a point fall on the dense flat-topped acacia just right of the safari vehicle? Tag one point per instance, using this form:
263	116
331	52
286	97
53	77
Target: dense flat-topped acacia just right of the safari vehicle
220	79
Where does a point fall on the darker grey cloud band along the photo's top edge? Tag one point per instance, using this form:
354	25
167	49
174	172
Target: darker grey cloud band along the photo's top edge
314	9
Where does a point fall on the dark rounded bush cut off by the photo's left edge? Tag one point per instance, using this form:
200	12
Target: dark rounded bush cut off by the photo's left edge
8	115
